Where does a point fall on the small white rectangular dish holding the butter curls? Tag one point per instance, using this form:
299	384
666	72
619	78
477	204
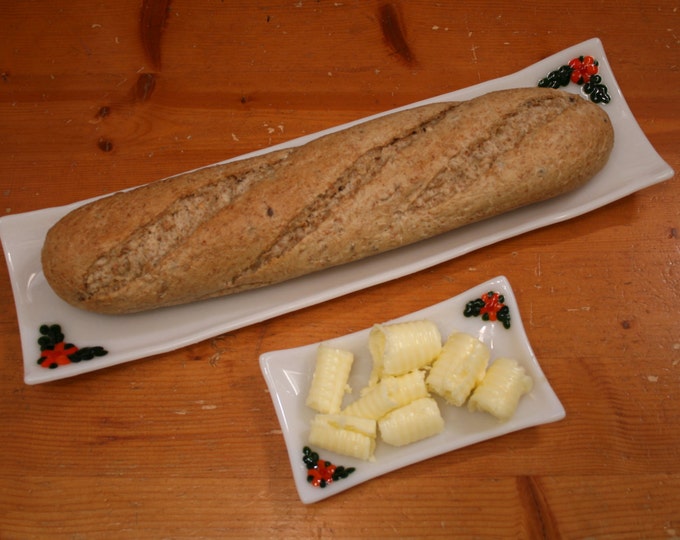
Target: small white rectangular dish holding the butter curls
288	374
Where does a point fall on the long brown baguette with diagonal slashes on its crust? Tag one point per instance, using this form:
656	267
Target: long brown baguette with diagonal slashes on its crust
370	188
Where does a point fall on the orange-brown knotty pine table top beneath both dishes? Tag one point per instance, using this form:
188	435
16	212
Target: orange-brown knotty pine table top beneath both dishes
95	97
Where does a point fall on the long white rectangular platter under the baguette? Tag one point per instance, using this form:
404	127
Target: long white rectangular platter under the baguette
633	165
